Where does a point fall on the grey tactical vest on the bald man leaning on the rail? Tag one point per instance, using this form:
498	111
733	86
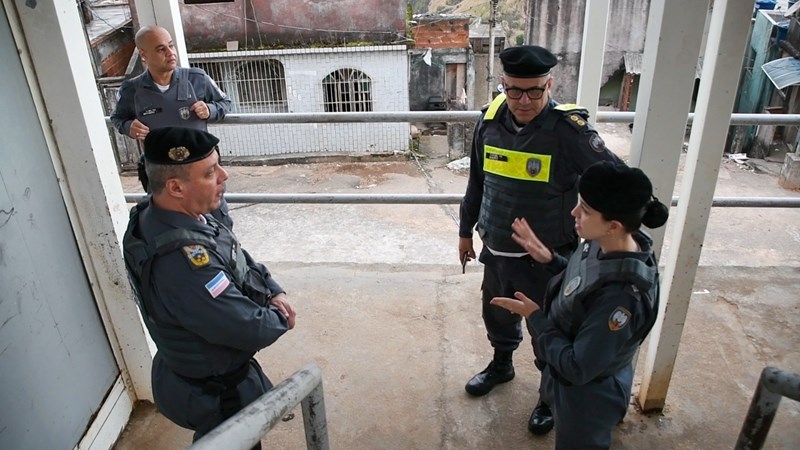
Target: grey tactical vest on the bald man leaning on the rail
170	108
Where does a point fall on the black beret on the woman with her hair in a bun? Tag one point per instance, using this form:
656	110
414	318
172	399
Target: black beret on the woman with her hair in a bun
615	188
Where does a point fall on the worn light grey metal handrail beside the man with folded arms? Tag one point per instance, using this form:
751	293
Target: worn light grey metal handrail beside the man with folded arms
246	428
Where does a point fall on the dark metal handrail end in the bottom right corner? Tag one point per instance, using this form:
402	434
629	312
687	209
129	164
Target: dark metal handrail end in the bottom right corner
772	386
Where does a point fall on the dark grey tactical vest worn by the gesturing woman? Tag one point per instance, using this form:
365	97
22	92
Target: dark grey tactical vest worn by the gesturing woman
585	274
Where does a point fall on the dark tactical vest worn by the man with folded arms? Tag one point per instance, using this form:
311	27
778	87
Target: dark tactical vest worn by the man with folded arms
182	350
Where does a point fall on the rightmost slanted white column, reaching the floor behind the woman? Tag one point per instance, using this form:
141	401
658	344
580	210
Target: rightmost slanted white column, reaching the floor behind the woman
727	37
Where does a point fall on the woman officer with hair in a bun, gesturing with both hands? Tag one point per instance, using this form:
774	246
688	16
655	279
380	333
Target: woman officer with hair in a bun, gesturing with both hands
598	310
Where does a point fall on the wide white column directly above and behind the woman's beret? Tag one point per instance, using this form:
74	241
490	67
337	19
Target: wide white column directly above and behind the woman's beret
672	47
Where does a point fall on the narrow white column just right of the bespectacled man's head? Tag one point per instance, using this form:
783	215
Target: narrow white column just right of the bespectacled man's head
590	79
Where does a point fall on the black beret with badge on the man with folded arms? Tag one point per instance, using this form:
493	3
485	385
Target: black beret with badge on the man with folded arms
178	145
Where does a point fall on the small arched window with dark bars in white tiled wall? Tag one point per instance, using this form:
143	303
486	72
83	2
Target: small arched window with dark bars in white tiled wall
347	90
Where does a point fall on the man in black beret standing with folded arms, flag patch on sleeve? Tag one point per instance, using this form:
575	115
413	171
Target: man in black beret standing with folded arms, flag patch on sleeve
207	304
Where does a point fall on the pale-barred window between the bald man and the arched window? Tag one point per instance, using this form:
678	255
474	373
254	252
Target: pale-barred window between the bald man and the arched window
261	87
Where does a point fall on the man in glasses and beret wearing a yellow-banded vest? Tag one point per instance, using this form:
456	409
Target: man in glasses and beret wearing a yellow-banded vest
527	155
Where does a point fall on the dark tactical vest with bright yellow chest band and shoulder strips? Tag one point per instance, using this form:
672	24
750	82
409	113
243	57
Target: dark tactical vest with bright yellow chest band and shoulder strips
520	181
